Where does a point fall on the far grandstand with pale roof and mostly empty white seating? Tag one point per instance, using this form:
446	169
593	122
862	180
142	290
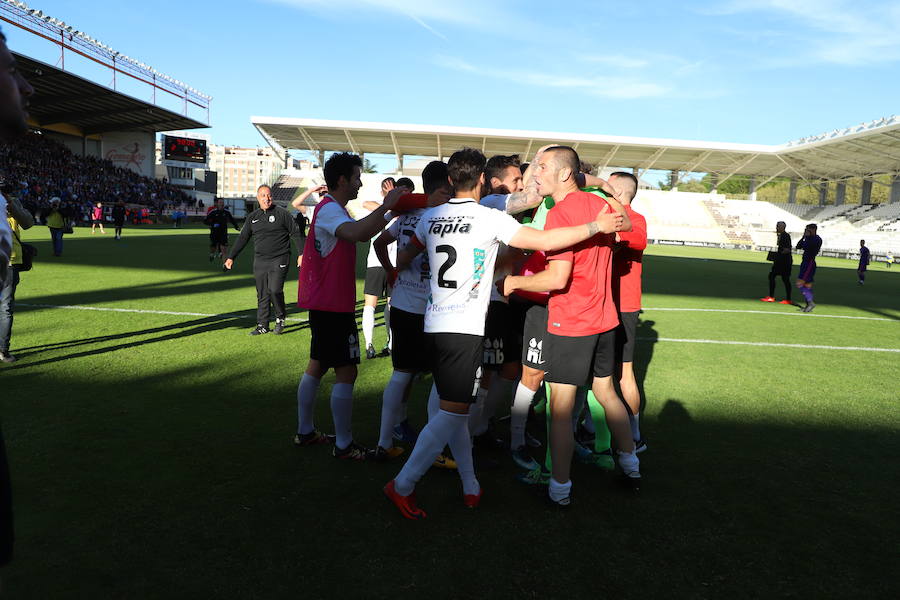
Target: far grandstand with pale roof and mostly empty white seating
861	155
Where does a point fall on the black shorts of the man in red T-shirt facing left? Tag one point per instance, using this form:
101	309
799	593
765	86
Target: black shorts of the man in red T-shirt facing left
577	360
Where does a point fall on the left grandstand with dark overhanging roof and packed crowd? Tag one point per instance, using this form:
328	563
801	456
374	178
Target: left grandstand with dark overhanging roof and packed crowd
91	142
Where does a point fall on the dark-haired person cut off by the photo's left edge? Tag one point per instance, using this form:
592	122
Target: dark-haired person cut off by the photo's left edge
14	94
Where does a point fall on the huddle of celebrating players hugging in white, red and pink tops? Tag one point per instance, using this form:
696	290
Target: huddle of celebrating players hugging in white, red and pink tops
504	277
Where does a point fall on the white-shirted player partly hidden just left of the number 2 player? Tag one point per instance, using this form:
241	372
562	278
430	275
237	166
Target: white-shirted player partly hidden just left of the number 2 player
410	294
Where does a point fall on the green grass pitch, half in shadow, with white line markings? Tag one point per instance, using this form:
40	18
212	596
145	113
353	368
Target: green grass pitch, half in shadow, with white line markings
151	453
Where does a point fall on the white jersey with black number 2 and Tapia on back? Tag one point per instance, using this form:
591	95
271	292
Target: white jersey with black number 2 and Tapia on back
462	238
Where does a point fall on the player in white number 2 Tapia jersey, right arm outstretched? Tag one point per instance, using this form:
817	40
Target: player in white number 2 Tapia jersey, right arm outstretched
462	239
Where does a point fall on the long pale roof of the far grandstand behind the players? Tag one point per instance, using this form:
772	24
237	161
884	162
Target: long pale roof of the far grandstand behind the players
861	151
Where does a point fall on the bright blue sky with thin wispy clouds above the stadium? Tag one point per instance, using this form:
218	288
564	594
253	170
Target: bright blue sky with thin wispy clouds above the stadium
752	71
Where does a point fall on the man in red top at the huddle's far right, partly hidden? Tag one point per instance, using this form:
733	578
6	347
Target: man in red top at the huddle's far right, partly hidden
627	266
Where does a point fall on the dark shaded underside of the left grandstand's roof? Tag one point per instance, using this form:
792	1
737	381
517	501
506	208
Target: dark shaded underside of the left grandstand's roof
62	97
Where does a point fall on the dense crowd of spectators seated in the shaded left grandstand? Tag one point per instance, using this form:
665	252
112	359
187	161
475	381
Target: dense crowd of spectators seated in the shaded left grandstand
36	169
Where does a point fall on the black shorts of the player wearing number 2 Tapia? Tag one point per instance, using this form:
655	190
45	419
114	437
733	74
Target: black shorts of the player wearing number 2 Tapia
455	360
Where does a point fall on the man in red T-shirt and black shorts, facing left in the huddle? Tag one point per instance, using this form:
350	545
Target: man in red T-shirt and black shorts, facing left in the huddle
581	317
